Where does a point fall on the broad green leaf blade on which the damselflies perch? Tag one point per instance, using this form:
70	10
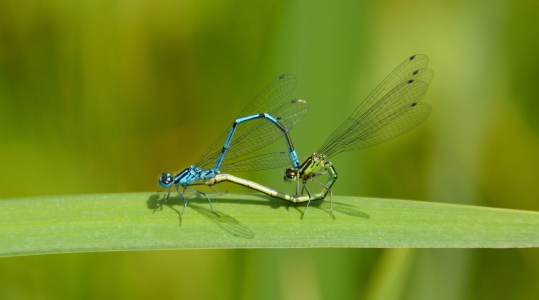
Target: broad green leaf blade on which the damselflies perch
116	222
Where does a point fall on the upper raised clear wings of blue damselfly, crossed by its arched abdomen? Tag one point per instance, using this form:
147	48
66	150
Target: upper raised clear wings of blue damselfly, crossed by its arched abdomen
256	134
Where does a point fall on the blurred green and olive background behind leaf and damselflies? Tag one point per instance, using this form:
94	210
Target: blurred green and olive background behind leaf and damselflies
103	96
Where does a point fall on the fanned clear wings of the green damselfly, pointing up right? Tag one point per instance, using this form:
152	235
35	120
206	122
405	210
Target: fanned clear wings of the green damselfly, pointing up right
389	111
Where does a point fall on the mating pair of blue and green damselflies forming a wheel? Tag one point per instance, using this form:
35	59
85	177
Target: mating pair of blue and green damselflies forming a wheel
389	111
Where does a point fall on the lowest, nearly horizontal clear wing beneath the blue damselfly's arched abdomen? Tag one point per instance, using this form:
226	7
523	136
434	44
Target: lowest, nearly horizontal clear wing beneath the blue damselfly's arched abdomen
260	162
